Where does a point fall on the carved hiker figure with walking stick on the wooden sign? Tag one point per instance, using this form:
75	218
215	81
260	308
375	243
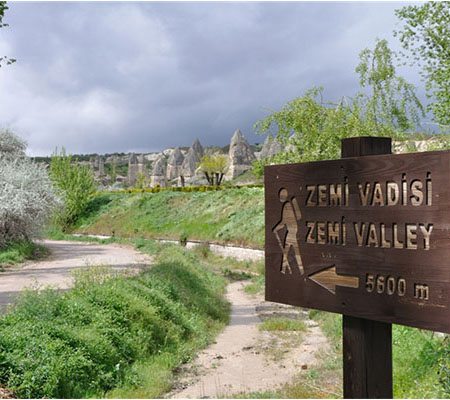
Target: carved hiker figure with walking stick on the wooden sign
290	216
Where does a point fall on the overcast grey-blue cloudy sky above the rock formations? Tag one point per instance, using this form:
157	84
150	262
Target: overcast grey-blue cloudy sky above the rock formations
120	77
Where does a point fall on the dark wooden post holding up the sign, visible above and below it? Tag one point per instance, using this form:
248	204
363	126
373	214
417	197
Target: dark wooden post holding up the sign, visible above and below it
367	345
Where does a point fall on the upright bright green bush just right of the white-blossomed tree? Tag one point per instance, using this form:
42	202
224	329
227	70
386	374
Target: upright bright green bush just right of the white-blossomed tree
74	184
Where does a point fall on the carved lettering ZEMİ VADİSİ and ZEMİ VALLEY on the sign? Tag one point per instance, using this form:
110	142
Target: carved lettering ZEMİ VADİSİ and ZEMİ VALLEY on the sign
415	192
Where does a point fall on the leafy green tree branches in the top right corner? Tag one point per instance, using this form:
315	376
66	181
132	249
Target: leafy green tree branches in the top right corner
425	36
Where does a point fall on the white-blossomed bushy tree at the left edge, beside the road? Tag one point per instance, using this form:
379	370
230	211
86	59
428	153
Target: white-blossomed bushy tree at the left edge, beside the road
27	199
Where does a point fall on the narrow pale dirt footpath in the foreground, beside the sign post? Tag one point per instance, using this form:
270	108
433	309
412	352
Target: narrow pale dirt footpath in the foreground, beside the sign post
243	359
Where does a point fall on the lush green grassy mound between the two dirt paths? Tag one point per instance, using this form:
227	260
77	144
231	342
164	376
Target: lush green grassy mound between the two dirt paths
112	335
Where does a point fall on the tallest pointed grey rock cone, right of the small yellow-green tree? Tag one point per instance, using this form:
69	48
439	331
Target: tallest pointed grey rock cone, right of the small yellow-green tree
240	157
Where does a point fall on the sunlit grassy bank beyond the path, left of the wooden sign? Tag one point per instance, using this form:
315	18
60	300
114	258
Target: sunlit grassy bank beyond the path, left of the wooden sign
233	215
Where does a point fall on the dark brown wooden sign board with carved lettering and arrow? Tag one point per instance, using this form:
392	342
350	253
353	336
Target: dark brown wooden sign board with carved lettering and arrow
367	237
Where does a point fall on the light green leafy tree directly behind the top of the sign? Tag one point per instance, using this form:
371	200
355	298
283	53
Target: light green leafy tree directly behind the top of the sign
312	130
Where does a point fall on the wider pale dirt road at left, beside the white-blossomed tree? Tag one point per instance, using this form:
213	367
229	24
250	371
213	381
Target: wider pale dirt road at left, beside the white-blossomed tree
66	257
